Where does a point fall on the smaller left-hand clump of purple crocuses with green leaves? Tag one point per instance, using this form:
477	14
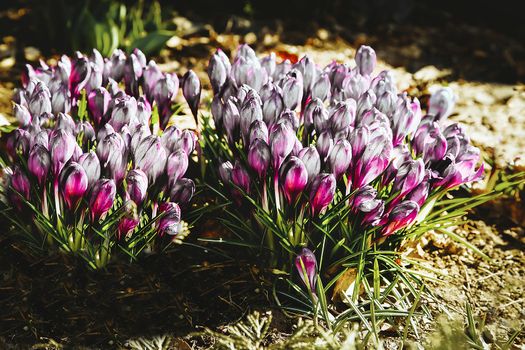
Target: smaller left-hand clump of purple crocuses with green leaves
95	162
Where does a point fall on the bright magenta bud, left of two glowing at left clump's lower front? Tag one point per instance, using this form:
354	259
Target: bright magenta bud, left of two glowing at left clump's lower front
74	184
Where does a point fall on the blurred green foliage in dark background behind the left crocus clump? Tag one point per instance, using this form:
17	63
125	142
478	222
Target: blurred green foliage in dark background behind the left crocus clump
105	25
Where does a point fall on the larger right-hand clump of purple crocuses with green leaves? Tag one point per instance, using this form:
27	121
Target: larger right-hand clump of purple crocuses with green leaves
331	163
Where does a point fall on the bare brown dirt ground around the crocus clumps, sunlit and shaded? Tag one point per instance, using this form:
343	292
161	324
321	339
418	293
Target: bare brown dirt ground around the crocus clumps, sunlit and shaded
48	299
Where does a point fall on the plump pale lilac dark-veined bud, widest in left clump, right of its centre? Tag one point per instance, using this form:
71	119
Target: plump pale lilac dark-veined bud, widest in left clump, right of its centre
150	156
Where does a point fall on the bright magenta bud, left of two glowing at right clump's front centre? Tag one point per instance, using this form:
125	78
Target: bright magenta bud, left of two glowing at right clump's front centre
293	178
